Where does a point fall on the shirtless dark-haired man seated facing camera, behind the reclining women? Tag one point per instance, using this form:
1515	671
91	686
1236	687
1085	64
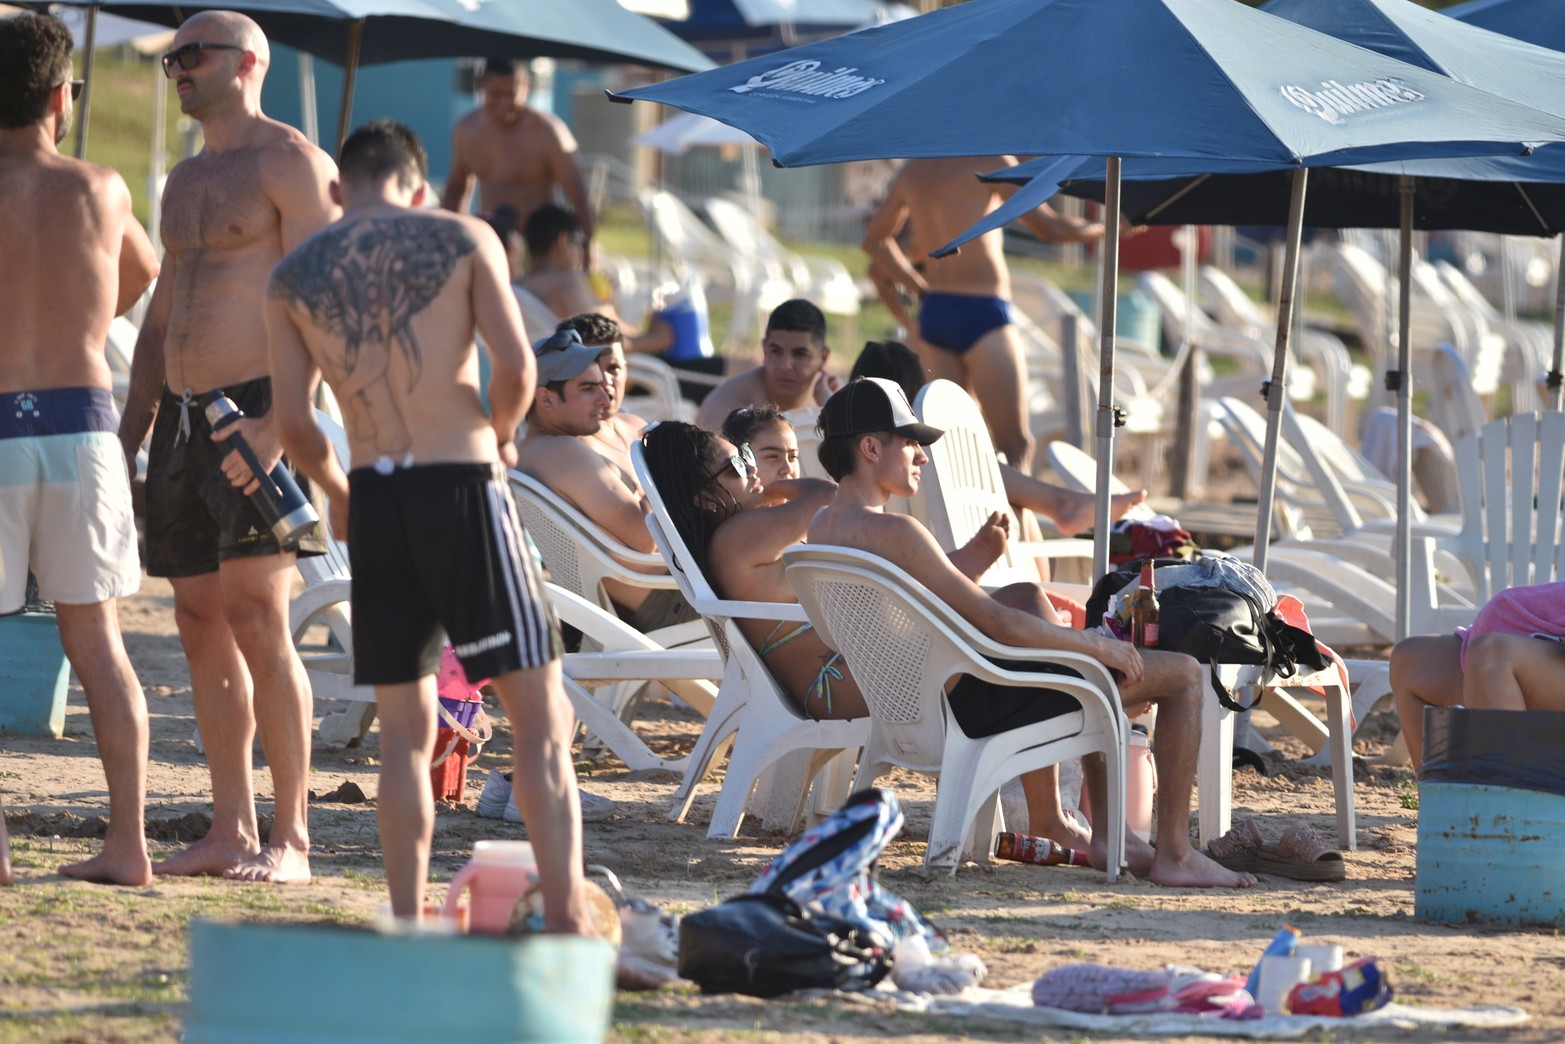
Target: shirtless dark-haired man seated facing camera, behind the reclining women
793	372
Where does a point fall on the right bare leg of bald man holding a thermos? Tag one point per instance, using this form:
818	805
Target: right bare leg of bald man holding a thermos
256	602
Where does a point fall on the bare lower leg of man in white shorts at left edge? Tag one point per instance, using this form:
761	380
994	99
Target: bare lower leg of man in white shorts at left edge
96	650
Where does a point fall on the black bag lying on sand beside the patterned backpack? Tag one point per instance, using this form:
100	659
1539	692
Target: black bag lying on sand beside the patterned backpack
766	946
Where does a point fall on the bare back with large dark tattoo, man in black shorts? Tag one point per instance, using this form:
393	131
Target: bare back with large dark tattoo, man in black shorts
386	308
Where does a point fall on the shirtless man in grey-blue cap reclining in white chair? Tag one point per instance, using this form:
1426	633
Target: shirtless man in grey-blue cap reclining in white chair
572	406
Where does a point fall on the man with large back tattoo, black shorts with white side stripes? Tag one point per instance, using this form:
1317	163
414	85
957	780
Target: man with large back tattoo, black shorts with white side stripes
386	303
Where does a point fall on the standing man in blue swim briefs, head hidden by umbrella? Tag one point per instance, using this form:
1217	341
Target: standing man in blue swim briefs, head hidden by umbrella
965	315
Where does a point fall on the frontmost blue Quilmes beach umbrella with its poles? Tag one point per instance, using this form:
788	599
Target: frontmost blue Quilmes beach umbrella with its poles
1198	79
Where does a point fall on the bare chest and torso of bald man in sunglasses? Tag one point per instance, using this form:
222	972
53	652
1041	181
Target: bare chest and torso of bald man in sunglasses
228	220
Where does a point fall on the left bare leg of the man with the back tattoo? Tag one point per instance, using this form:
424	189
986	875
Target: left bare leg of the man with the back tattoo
406	805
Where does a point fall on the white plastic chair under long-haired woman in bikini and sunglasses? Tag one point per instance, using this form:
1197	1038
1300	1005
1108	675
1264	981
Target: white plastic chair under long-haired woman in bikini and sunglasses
752	710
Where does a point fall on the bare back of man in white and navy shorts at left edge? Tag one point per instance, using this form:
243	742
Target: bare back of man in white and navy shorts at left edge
67	236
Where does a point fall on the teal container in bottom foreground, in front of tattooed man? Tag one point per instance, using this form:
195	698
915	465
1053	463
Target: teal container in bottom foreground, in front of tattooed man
318	984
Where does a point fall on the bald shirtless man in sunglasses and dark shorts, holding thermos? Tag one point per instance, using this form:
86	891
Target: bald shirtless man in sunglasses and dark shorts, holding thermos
229	215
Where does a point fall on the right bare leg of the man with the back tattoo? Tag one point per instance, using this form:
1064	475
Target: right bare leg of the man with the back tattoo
544	783
